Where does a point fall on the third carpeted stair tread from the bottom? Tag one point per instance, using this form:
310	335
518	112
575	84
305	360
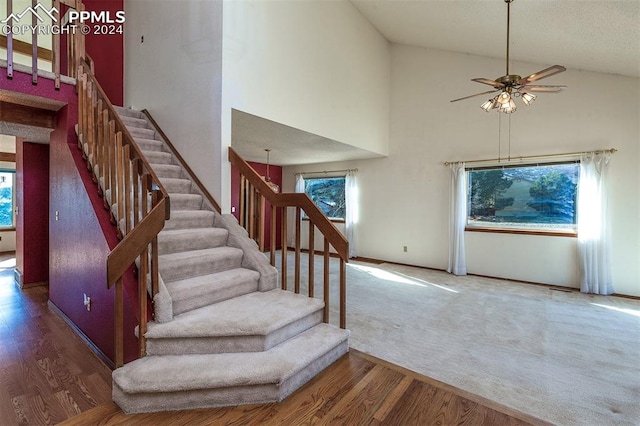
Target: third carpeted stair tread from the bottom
184	289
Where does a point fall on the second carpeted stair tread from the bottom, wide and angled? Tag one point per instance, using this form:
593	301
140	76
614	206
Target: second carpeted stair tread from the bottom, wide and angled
257	313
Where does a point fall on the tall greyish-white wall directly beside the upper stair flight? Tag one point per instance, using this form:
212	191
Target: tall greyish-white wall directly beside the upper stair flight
176	75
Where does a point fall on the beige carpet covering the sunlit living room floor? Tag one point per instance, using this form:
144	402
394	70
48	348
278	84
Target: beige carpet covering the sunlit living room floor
564	357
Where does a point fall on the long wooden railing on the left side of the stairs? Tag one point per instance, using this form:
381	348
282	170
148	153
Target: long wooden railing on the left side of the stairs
132	192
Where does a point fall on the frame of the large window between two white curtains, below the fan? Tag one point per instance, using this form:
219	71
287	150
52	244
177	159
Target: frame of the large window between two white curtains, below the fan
498	229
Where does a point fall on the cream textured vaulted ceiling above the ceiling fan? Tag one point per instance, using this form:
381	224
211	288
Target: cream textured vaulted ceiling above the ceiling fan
594	35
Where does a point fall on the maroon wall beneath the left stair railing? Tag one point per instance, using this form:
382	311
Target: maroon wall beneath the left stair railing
82	237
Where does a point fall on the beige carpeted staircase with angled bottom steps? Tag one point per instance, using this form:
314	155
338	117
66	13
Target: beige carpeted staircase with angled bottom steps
222	334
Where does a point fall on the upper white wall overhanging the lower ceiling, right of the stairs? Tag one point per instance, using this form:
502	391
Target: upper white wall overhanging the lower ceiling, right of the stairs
318	66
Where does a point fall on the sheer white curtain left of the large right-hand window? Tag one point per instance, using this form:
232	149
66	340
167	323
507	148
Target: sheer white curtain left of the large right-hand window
457	220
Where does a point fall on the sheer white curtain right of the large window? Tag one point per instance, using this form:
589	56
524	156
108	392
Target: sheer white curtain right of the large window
594	240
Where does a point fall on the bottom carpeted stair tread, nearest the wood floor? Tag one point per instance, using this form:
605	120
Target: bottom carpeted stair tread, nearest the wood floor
175	373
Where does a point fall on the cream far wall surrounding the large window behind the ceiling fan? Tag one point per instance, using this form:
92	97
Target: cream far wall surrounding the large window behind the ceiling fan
404	197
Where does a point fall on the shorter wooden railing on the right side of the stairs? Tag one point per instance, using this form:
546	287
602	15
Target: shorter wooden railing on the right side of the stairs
255	190
